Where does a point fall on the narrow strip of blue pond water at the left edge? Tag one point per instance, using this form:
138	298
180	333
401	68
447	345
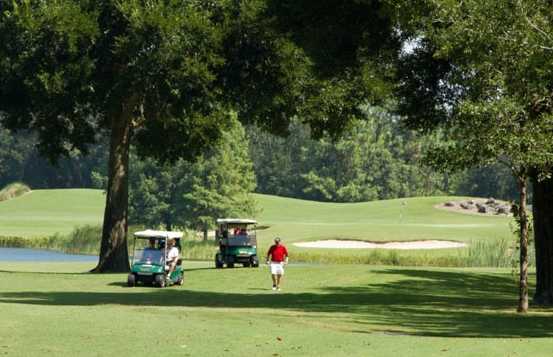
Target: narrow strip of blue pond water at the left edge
28	255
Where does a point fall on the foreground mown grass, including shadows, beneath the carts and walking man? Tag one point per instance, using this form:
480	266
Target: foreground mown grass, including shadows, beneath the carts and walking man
343	310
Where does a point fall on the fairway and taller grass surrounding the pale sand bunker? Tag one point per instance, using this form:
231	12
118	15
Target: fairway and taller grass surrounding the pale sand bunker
378	221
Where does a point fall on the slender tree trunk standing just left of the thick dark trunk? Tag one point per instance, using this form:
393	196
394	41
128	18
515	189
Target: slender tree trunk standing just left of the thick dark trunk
523	230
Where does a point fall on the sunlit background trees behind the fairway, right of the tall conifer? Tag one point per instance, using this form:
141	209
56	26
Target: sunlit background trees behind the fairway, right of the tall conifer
375	159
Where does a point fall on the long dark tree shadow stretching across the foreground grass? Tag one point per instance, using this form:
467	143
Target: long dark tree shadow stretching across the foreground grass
418	302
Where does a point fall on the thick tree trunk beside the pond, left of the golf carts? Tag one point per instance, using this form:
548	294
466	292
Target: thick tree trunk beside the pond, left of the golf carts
114	256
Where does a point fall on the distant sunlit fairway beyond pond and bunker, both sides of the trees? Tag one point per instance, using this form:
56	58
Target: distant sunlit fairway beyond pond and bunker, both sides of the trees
45	212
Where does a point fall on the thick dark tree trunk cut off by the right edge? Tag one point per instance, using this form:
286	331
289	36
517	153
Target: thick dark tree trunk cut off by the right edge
542	211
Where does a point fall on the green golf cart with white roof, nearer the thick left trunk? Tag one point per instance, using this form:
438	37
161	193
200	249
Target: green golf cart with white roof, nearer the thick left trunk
149	259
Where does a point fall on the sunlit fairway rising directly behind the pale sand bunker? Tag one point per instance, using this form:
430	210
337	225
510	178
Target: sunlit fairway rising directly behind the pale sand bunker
390	220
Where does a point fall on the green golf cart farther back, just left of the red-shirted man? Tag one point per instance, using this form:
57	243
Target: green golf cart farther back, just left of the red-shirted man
237	243
